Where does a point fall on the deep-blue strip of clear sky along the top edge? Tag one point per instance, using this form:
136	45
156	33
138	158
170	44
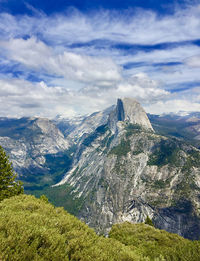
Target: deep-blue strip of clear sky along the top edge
51	7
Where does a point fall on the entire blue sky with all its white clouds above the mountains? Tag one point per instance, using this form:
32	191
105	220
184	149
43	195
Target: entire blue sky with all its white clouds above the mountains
74	57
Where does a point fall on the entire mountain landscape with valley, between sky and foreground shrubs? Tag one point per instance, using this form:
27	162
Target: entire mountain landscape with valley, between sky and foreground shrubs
113	166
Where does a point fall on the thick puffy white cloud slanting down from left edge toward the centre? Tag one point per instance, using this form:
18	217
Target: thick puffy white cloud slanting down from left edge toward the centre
36	55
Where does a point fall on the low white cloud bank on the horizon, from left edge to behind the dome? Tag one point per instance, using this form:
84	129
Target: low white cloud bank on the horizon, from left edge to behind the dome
22	98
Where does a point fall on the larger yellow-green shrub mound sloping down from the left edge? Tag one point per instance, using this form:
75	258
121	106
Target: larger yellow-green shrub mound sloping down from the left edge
31	229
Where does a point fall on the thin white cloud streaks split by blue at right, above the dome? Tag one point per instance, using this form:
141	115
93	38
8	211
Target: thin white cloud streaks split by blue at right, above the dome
185	70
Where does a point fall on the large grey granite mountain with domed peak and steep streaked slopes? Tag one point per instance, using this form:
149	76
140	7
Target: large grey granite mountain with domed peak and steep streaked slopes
124	172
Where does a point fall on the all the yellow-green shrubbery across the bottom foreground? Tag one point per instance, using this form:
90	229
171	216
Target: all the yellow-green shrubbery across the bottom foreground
33	229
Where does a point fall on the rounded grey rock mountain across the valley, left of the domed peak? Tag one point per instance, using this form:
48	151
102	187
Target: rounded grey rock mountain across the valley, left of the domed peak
29	141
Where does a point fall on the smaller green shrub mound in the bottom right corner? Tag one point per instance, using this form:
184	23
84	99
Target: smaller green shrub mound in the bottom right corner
156	243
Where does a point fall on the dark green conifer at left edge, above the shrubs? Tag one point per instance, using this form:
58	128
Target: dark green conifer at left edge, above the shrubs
8	185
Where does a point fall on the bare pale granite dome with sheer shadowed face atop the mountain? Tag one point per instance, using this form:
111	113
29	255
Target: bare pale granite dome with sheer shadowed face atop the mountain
130	110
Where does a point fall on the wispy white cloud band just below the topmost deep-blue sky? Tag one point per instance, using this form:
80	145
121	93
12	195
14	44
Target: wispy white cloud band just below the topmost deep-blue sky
141	27
